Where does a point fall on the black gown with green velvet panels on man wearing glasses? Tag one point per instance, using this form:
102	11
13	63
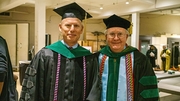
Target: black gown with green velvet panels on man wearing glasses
145	81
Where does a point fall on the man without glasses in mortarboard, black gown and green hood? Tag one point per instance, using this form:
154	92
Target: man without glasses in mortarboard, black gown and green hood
58	73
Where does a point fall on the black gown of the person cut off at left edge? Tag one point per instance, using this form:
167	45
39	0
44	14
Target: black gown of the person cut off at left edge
9	92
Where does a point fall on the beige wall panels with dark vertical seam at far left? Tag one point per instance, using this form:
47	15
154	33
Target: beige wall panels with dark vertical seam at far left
16	36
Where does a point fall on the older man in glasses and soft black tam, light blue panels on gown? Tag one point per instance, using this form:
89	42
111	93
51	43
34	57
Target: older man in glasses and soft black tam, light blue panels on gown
126	74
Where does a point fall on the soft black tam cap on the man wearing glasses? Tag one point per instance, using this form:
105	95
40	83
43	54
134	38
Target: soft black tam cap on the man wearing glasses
116	21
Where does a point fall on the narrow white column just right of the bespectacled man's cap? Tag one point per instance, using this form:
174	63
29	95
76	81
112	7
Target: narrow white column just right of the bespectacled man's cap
135	30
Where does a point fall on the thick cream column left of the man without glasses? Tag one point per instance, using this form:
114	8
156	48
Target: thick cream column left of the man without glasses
40	24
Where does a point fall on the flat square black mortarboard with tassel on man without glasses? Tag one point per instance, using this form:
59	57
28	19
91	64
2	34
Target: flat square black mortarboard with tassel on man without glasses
72	10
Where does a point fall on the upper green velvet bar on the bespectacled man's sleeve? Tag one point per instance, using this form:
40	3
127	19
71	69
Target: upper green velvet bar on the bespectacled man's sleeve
148	80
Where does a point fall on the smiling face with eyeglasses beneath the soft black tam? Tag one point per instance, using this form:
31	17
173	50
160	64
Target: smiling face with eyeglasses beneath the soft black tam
116	38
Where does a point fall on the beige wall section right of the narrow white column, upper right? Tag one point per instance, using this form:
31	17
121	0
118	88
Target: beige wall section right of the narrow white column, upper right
151	24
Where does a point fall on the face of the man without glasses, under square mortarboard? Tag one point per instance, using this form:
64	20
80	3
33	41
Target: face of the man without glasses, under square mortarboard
71	29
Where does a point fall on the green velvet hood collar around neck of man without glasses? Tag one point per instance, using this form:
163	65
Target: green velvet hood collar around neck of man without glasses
60	48
